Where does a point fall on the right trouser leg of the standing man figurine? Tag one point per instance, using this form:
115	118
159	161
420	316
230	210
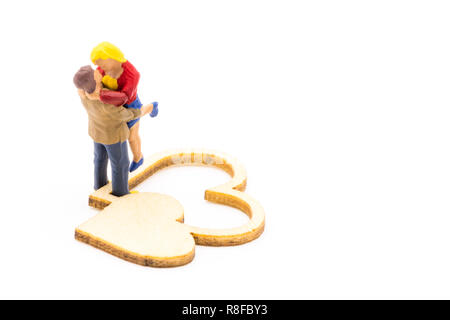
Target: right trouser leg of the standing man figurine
118	154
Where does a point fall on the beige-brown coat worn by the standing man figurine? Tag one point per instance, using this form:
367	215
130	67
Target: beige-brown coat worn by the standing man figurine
108	123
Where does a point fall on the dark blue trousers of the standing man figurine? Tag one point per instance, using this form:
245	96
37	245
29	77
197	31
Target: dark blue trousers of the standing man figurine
118	153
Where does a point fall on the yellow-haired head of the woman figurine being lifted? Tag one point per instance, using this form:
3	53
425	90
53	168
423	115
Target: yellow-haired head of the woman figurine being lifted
107	56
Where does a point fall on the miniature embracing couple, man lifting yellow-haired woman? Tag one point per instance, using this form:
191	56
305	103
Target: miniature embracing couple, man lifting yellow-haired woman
109	95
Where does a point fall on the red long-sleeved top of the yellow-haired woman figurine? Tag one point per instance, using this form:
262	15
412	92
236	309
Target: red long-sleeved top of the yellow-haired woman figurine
127	86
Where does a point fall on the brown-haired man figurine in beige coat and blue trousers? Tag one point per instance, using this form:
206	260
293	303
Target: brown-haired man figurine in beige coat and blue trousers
108	128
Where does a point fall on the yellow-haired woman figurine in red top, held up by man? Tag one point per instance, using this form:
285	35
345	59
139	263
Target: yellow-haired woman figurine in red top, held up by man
120	80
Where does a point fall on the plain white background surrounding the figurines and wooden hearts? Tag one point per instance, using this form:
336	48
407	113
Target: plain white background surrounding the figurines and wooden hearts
338	109
